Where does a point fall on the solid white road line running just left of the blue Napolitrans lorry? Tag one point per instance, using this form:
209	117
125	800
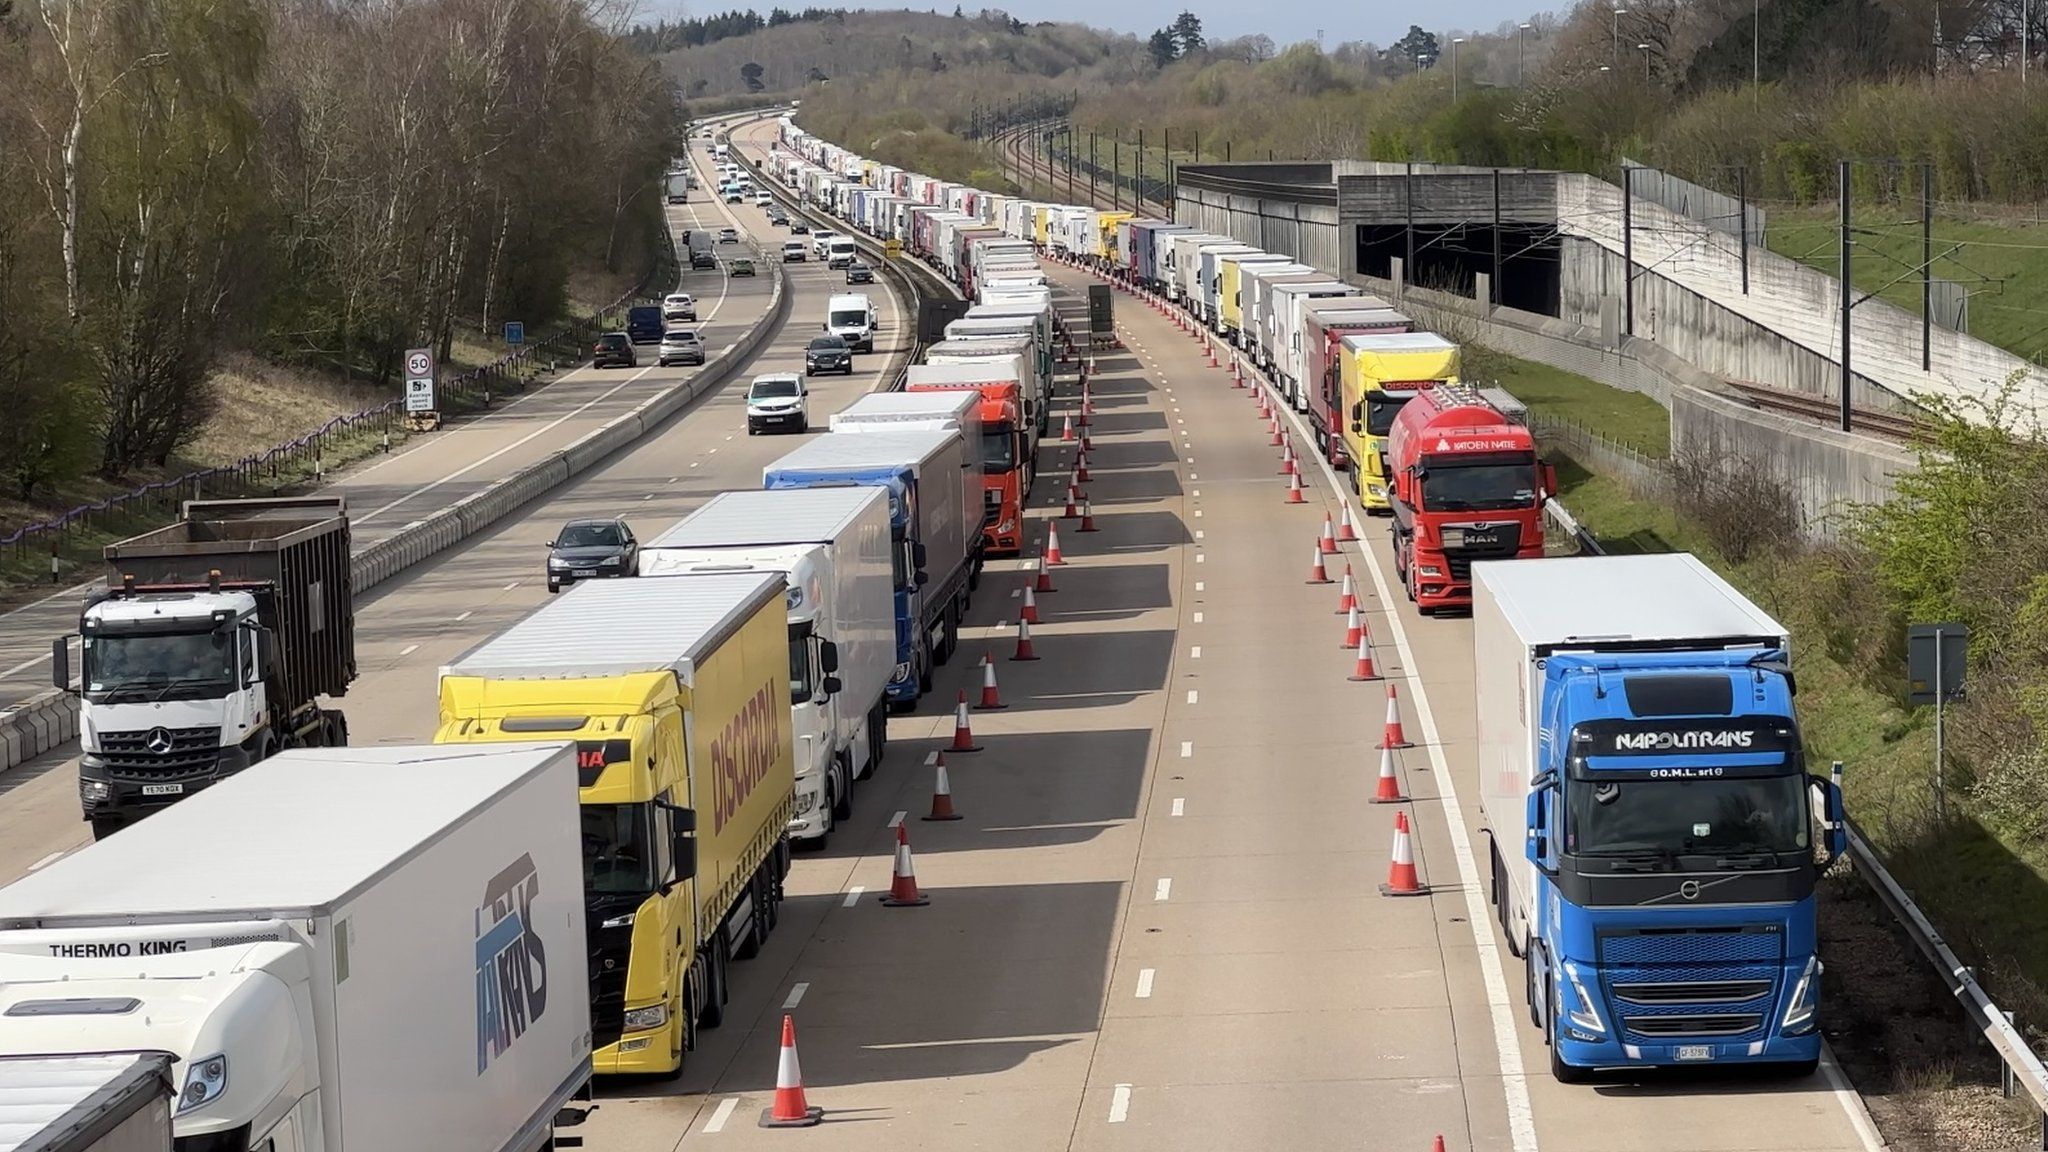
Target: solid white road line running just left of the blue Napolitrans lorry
1478	917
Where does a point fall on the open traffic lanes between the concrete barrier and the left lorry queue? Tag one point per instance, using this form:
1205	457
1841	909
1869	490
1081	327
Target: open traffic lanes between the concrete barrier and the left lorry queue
421	620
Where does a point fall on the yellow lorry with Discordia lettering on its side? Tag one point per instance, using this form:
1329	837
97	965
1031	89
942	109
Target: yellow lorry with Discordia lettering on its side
677	698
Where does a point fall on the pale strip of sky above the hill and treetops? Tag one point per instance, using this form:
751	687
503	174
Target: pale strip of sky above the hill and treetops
1285	22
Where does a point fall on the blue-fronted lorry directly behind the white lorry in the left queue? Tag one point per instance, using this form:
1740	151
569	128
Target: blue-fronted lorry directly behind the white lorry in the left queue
935	522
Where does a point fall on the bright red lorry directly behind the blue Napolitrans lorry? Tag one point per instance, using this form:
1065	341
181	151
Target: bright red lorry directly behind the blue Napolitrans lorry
1465	487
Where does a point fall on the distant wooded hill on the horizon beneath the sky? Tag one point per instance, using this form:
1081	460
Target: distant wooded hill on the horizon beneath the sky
790	50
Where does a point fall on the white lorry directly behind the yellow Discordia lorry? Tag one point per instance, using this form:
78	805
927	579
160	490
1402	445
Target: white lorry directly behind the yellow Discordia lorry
833	550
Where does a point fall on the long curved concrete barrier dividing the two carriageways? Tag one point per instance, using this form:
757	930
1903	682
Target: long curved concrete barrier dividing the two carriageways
48	721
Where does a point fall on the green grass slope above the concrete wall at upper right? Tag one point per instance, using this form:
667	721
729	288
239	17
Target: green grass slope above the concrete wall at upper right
2004	265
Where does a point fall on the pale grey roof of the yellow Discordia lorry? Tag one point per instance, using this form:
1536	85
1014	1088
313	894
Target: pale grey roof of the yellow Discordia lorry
617	628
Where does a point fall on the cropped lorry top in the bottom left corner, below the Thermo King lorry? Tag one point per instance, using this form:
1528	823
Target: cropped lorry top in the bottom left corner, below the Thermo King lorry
116	1102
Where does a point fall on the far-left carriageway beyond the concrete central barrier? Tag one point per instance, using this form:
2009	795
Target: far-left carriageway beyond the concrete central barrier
437	470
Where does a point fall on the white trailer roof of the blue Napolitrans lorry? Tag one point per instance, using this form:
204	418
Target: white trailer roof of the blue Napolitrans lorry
1644	602
